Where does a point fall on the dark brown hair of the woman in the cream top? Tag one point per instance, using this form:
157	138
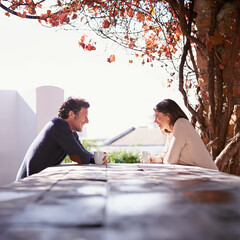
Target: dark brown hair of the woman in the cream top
168	106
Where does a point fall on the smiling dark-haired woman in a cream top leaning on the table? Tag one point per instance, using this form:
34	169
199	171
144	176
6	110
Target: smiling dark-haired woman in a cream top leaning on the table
183	146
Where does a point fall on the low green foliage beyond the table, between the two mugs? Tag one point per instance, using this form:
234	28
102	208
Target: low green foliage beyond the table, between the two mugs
123	156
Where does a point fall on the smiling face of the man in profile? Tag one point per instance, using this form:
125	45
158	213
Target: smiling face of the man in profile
79	120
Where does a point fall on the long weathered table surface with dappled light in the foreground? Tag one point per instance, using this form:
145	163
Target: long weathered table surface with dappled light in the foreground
122	202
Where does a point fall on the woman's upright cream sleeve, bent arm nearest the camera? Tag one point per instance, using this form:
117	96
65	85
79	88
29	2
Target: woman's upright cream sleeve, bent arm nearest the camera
176	144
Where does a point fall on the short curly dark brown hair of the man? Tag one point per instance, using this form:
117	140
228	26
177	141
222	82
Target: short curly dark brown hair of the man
72	104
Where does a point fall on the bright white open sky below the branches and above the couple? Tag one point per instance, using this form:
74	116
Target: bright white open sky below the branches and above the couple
121	95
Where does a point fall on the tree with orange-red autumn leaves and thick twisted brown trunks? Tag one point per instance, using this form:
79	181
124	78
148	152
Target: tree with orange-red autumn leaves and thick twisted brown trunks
165	31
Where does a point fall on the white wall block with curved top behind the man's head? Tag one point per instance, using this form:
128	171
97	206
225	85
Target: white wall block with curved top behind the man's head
48	100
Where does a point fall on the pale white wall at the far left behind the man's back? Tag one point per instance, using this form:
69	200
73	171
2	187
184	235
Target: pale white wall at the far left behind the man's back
17	131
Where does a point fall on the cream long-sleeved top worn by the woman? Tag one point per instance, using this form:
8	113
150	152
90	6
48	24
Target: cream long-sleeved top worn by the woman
184	146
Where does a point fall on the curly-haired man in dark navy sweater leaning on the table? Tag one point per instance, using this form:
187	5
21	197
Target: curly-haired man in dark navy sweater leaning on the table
57	139
